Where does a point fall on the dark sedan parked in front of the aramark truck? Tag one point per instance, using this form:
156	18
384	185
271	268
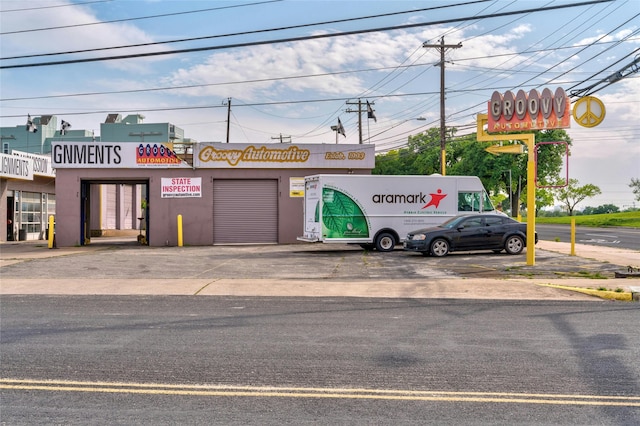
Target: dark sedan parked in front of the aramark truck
470	232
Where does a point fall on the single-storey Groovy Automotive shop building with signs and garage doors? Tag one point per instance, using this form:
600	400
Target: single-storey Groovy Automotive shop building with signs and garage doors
225	193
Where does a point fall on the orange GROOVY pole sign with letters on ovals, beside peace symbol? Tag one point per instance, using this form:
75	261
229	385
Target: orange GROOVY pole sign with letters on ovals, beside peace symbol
532	111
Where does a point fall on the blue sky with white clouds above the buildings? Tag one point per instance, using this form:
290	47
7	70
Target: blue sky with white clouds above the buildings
289	68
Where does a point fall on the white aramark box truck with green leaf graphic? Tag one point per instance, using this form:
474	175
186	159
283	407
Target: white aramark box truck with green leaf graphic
378	211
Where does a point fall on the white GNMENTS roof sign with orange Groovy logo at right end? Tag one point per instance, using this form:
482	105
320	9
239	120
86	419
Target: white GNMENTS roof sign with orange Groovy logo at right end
125	155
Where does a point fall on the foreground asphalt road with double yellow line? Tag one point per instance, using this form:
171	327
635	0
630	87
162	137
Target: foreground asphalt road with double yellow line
231	360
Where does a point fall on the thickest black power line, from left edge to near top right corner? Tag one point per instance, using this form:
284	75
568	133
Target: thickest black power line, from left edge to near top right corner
303	38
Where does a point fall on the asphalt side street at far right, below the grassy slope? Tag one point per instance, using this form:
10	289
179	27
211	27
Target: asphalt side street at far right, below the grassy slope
627	238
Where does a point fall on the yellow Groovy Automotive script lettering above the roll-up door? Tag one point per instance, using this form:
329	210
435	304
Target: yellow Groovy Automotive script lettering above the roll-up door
252	154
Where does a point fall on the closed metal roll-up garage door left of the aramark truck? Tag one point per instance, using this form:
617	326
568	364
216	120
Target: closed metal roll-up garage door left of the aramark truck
245	211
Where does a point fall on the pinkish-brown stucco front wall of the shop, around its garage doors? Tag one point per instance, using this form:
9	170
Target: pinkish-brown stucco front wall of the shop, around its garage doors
197	213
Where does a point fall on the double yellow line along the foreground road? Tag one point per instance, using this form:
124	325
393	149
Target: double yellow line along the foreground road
302	392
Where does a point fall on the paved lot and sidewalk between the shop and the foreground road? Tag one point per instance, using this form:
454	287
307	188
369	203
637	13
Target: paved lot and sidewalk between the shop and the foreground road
317	270
